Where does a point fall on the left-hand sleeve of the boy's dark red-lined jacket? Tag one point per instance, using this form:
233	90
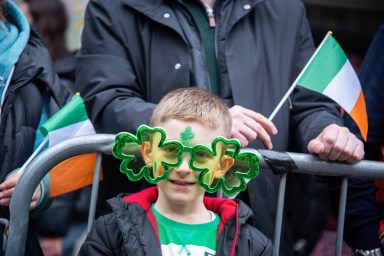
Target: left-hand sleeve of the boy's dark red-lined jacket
103	239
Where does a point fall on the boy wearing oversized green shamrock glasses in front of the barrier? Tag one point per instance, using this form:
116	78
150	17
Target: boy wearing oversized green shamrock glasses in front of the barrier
175	218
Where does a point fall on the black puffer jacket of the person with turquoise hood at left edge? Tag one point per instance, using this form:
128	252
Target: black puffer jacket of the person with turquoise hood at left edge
33	77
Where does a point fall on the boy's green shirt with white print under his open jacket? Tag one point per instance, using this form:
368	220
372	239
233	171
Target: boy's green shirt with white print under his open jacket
179	239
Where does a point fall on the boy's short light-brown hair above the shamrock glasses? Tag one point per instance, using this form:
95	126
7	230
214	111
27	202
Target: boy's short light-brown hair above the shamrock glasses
193	104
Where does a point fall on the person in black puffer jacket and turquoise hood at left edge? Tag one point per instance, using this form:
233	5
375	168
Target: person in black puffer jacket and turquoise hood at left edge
30	92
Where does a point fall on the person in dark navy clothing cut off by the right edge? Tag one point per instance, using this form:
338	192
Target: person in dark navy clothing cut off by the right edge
364	224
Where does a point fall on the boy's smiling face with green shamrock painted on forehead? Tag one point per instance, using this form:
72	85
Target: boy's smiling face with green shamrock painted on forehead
181	186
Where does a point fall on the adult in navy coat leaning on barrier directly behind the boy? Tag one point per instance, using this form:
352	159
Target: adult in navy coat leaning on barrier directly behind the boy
247	52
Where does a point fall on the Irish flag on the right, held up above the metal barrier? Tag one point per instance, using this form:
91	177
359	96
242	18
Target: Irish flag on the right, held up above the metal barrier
329	72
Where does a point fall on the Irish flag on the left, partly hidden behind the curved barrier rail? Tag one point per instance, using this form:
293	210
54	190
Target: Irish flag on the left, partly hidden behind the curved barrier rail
70	121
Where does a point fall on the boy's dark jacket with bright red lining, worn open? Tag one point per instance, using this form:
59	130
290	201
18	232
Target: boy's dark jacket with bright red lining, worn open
132	230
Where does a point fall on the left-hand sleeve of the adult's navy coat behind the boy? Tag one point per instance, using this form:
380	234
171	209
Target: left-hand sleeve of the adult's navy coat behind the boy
107	71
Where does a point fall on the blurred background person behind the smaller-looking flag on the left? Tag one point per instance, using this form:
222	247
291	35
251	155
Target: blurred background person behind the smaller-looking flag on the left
65	220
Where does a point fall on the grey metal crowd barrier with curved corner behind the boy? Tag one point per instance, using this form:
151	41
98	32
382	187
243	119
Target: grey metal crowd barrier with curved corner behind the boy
103	143
